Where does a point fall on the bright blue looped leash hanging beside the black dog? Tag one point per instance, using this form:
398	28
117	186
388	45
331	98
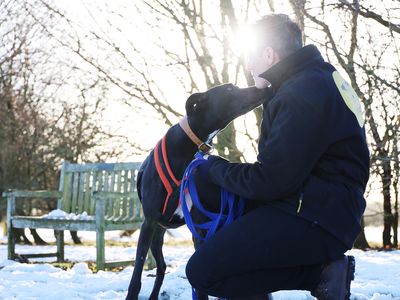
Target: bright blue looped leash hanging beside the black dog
217	220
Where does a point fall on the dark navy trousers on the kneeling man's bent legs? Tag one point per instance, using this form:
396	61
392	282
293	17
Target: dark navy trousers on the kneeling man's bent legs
265	250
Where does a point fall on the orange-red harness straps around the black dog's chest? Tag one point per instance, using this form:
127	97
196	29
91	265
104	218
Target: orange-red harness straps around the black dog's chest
169	187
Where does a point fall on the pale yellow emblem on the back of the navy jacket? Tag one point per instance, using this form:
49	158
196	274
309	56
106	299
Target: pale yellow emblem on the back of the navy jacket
349	96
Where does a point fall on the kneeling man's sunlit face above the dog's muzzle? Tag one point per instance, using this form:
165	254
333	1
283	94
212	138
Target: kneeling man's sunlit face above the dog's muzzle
260	61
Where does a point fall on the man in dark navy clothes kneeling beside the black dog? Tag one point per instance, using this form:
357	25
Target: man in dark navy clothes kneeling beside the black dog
304	195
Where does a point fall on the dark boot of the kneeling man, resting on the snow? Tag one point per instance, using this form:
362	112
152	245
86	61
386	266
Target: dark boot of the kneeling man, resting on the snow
335	280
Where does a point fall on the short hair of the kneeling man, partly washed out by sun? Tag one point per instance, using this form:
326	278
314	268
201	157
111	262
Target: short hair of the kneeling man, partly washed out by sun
279	32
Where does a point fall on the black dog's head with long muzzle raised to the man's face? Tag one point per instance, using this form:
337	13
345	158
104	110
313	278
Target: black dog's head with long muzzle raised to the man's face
213	110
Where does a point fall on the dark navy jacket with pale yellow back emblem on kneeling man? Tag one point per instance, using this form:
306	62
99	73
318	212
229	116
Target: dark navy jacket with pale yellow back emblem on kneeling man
313	158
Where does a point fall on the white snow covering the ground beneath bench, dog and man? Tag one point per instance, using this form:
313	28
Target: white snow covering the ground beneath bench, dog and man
377	274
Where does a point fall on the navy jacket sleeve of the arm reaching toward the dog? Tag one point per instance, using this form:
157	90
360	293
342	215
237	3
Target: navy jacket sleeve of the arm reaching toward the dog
296	140
